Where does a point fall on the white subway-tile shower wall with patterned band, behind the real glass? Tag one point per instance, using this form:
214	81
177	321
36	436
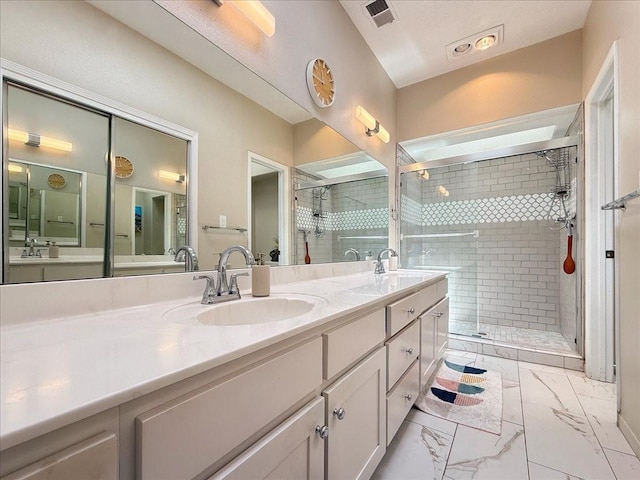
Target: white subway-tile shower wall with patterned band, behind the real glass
516	257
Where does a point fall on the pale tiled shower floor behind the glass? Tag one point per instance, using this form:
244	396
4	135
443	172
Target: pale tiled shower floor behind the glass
514	336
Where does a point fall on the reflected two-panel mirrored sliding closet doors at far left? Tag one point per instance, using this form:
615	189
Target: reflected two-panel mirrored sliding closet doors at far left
57	191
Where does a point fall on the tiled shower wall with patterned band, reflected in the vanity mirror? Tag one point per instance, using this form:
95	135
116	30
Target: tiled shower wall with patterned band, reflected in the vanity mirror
354	209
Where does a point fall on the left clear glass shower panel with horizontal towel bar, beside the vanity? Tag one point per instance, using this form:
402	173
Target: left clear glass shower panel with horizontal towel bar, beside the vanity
439	231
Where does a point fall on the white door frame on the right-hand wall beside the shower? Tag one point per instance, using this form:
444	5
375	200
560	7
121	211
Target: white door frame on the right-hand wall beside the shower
601	297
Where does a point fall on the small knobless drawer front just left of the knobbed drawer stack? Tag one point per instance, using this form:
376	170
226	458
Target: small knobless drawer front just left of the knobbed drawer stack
348	343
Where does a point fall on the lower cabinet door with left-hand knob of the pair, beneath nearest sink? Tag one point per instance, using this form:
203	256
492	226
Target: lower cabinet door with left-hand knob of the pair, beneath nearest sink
291	450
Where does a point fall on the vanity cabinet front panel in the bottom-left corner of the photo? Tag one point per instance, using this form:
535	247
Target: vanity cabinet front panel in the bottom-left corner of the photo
96	458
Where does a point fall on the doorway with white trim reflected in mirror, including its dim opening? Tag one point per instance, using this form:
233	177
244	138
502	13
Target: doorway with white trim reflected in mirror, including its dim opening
269	194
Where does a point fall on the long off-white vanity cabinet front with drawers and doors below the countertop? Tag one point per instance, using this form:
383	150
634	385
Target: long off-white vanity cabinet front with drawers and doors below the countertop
323	404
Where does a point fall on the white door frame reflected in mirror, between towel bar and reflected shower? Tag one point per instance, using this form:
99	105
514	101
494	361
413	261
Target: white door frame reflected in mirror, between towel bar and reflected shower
284	194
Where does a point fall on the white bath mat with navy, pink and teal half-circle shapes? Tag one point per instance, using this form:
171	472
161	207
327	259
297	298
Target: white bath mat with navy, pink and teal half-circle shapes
466	395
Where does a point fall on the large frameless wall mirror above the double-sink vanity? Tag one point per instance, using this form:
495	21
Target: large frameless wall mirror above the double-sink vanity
232	112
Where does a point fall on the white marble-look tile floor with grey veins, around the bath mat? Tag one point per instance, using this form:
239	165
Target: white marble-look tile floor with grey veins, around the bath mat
557	424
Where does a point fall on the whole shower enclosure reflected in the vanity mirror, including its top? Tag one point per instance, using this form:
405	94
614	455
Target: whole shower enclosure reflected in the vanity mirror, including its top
341	209
